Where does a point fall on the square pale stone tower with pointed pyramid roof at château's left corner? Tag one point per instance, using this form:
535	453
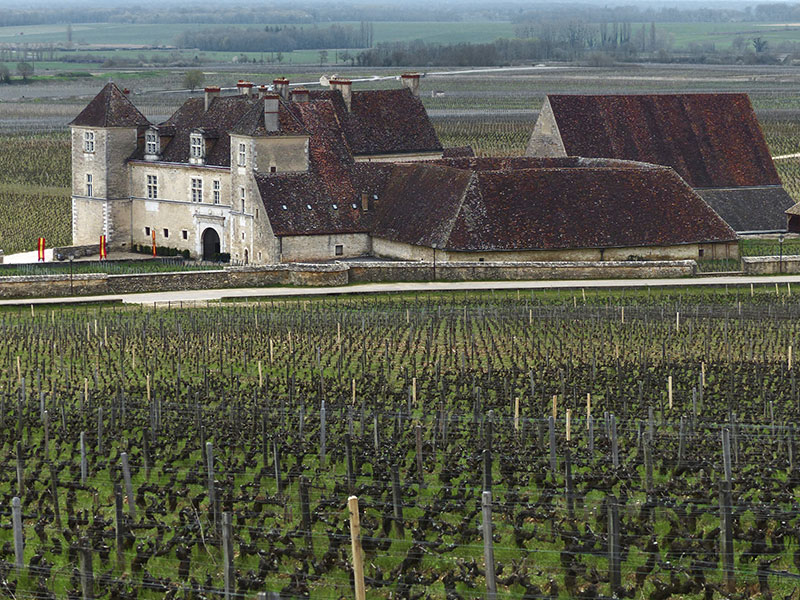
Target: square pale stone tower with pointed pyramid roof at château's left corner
104	135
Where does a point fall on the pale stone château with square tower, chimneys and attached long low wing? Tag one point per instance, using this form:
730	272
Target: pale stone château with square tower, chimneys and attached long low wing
273	175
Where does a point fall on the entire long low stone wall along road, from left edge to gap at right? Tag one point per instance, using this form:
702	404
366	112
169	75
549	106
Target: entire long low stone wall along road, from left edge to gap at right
334	274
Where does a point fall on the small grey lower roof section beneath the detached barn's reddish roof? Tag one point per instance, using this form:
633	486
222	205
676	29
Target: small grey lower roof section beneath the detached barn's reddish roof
750	209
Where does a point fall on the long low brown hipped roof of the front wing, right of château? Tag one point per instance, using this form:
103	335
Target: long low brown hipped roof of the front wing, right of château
545	208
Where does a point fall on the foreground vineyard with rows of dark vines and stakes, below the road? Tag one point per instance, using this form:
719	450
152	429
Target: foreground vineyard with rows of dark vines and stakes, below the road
595	418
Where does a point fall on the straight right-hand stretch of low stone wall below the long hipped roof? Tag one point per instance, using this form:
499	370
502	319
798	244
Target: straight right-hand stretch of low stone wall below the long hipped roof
372	271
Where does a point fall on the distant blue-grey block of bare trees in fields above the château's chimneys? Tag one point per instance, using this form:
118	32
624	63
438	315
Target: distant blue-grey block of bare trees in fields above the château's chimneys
277	38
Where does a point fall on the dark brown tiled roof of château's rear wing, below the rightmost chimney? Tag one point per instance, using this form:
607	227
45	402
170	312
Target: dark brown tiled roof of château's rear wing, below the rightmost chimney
383	122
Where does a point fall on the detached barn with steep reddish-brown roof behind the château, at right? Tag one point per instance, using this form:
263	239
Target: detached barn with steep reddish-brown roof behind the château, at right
713	141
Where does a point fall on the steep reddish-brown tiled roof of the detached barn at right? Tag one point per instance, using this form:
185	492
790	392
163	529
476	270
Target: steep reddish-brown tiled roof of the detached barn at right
711	140
